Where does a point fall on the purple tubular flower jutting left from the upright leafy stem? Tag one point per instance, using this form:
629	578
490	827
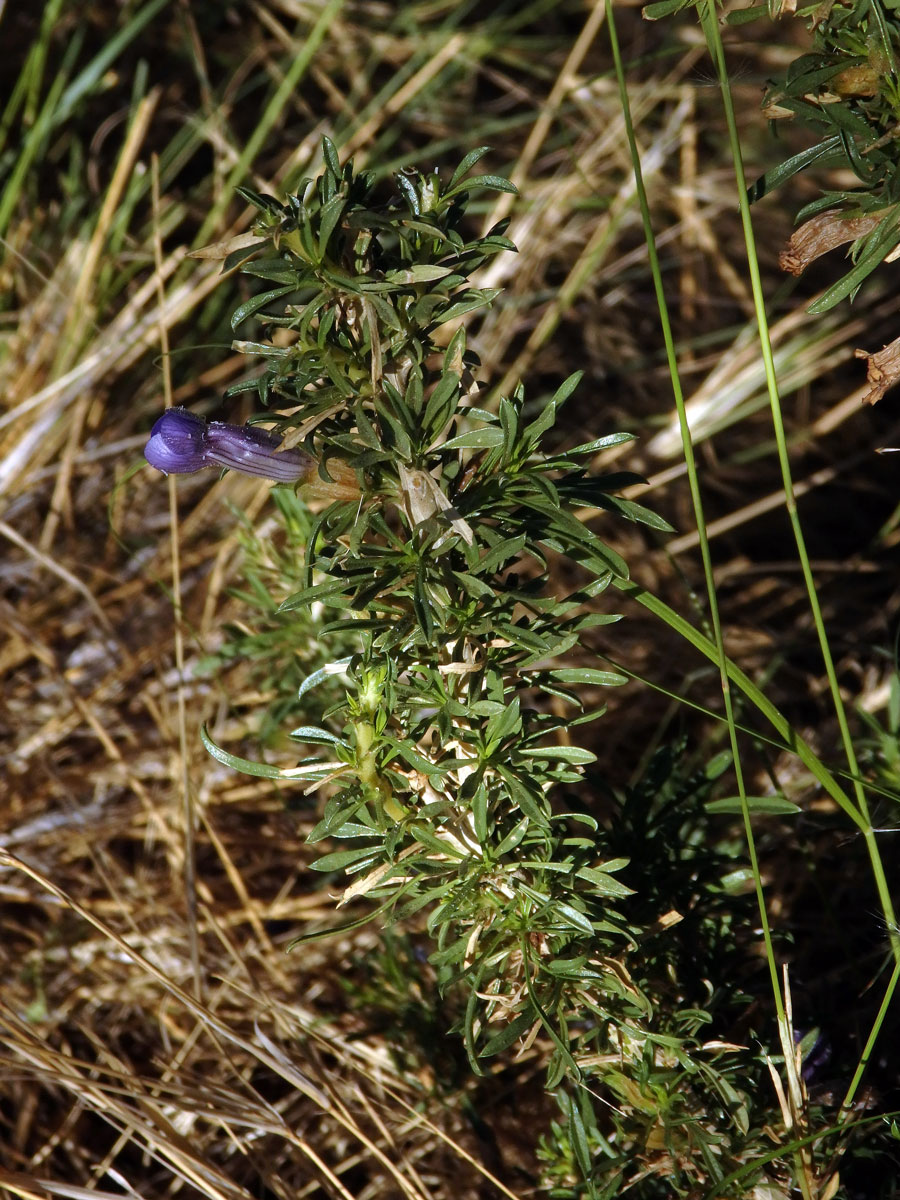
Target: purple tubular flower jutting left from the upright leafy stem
182	443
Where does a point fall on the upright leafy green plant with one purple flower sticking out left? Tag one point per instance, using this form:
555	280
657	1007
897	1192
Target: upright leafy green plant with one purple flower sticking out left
452	763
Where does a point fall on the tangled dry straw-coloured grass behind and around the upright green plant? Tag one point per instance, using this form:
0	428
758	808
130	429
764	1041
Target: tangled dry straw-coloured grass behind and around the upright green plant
157	1039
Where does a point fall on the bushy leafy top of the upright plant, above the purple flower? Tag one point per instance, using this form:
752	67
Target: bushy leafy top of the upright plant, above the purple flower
358	285
